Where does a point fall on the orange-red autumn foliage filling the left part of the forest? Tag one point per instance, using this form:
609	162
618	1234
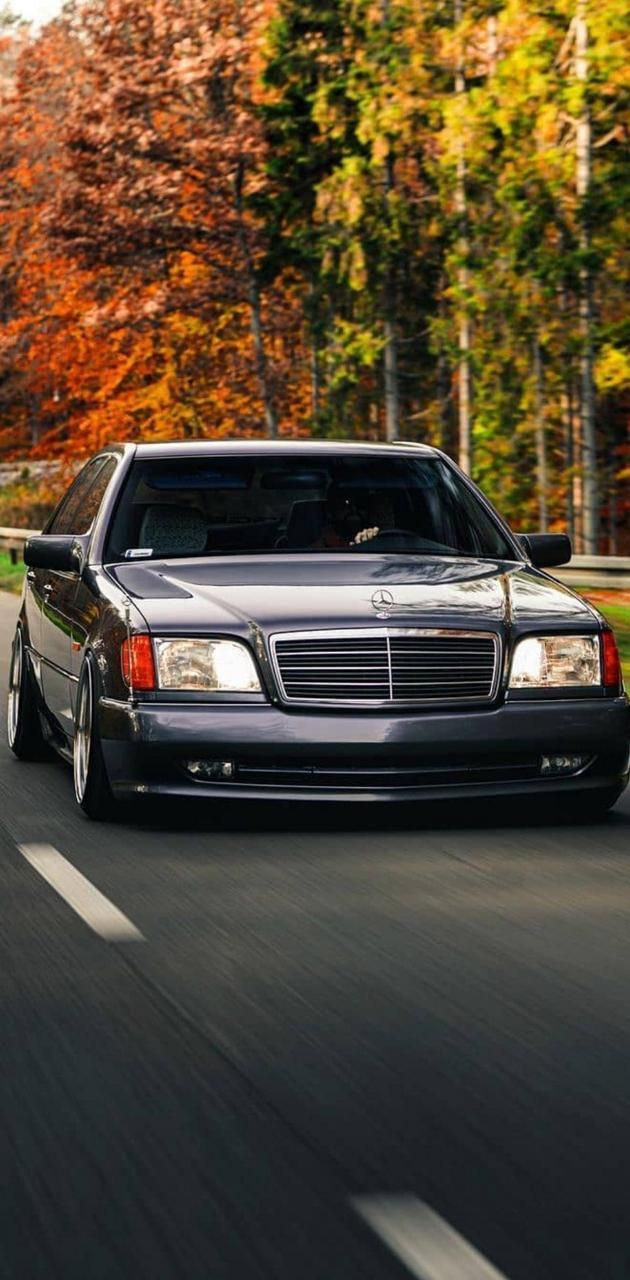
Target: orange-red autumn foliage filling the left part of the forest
127	237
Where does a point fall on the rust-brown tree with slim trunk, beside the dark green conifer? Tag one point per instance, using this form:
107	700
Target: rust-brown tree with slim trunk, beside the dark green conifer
166	158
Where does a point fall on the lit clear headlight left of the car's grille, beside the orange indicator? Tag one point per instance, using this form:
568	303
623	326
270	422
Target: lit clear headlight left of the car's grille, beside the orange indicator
209	666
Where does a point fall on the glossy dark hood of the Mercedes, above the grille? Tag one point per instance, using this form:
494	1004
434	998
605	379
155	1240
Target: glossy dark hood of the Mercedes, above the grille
293	592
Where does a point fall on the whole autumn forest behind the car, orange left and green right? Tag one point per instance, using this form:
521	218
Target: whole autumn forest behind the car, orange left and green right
372	220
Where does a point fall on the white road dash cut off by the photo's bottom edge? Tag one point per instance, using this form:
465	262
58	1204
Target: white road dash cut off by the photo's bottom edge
421	1238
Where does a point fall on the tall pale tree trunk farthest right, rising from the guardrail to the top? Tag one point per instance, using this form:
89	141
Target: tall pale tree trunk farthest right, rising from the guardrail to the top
586	294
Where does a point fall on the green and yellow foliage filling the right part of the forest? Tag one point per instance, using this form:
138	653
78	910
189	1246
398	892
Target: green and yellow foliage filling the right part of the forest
364	113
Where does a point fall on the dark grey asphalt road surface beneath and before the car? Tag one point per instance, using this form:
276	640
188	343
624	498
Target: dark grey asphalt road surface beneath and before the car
323	1007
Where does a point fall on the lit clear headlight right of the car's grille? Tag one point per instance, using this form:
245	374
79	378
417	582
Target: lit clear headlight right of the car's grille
551	662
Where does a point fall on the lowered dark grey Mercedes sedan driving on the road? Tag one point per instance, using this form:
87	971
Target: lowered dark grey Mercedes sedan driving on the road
308	621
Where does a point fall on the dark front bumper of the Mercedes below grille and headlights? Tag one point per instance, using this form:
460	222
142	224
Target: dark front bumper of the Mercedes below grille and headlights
307	756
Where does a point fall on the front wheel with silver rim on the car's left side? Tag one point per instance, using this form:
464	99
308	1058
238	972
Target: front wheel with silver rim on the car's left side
92	784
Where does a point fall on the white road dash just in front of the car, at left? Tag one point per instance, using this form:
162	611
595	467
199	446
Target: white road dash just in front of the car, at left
88	902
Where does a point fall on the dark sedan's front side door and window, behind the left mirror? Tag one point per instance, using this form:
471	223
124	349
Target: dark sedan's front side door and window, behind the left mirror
58	593
